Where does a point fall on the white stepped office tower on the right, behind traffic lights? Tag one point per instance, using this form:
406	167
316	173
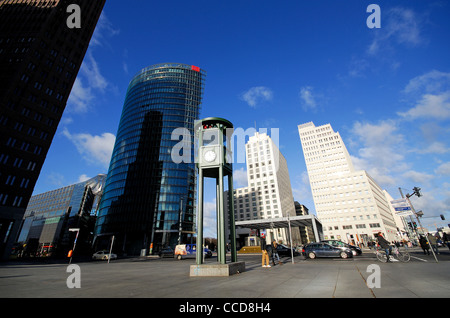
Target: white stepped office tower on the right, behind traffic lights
350	204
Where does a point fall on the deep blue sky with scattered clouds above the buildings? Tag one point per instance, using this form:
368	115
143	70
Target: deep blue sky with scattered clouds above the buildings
278	64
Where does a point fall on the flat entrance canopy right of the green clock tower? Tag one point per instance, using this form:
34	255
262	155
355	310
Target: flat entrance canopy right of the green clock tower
283	222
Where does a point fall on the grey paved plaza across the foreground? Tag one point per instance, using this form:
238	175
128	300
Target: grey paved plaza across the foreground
151	277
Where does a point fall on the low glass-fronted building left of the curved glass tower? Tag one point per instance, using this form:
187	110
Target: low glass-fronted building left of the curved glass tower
50	216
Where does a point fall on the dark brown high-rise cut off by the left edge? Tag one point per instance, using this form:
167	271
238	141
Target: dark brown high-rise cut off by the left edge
40	56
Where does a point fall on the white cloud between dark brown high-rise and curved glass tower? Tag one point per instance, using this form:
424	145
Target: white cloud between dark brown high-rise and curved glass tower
94	149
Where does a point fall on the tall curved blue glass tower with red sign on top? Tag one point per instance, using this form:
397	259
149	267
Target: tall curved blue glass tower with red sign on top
149	200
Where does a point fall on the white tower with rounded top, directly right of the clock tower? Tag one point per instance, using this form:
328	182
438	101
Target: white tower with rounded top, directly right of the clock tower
269	192
